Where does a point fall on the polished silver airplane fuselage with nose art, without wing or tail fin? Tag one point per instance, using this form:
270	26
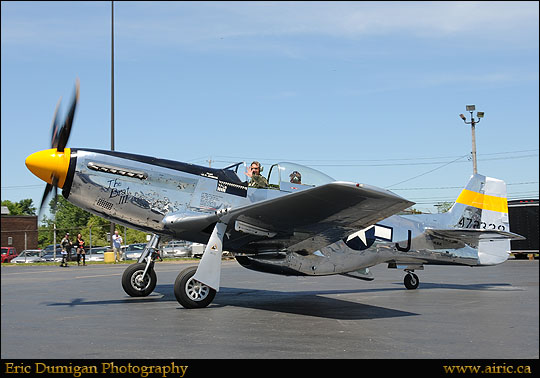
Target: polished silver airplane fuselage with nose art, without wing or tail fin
140	192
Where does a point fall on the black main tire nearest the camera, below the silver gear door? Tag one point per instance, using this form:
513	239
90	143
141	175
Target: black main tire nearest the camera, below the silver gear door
191	293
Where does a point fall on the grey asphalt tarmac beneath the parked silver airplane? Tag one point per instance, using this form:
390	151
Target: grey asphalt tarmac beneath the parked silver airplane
457	312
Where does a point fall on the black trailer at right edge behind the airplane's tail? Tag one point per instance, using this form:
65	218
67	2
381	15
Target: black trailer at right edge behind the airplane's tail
523	217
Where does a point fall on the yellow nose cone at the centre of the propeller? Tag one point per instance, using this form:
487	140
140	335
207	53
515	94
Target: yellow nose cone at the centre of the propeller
50	163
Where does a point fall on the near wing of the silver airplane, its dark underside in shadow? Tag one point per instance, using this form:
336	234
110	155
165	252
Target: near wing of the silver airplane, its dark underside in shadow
302	221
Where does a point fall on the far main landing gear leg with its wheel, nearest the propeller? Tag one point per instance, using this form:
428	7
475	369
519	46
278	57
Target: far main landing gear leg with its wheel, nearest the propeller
139	279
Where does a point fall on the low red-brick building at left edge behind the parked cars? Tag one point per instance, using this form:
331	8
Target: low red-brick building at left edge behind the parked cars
19	231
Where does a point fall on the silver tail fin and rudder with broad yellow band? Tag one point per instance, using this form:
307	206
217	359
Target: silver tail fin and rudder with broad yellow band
483	205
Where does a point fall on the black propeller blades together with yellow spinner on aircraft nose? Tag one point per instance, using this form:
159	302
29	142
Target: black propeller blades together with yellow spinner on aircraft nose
52	165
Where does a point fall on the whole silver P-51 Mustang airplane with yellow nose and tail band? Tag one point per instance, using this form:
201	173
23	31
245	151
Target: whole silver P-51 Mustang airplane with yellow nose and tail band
311	226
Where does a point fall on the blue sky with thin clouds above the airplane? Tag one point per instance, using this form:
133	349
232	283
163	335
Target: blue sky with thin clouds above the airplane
368	92
